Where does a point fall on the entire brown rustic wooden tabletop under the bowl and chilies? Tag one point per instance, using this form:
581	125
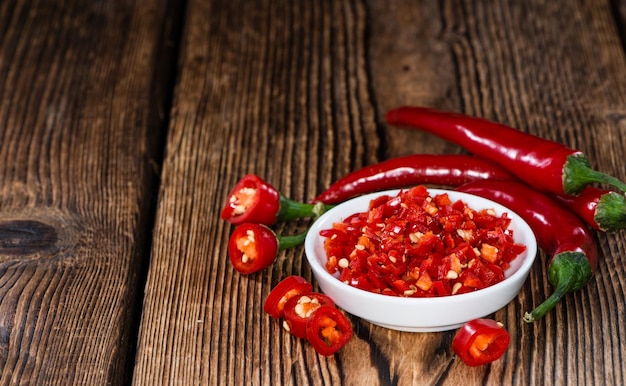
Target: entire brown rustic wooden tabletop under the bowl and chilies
124	124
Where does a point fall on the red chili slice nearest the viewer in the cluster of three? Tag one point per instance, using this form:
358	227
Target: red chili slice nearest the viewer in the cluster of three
328	330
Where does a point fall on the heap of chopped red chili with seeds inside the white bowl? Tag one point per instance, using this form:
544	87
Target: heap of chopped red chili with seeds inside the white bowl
415	245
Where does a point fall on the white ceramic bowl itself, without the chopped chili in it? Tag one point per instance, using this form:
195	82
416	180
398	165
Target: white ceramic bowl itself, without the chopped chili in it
420	314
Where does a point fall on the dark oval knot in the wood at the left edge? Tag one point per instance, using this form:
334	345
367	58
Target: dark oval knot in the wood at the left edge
23	237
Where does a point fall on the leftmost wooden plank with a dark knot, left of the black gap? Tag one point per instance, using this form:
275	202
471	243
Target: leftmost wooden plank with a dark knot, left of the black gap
81	121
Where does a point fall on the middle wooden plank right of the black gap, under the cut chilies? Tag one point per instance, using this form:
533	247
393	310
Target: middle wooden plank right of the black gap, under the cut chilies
279	90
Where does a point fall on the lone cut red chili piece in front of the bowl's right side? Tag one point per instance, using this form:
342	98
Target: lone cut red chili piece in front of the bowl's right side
480	341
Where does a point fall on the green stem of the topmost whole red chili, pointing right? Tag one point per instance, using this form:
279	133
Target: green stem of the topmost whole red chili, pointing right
577	173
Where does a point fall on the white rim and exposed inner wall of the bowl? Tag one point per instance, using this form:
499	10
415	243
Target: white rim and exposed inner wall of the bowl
313	237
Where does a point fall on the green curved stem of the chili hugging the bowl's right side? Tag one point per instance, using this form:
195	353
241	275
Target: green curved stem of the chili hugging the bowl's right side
568	272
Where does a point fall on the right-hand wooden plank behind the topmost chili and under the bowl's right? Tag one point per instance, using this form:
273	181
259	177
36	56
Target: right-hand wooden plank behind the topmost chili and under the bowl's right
556	71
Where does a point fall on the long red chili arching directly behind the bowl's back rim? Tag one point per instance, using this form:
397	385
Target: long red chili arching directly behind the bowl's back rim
416	169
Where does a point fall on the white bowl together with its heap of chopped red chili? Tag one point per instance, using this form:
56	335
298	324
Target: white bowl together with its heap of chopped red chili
420	259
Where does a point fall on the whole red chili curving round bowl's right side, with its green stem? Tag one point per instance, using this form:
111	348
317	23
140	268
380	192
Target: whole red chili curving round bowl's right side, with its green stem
560	233
